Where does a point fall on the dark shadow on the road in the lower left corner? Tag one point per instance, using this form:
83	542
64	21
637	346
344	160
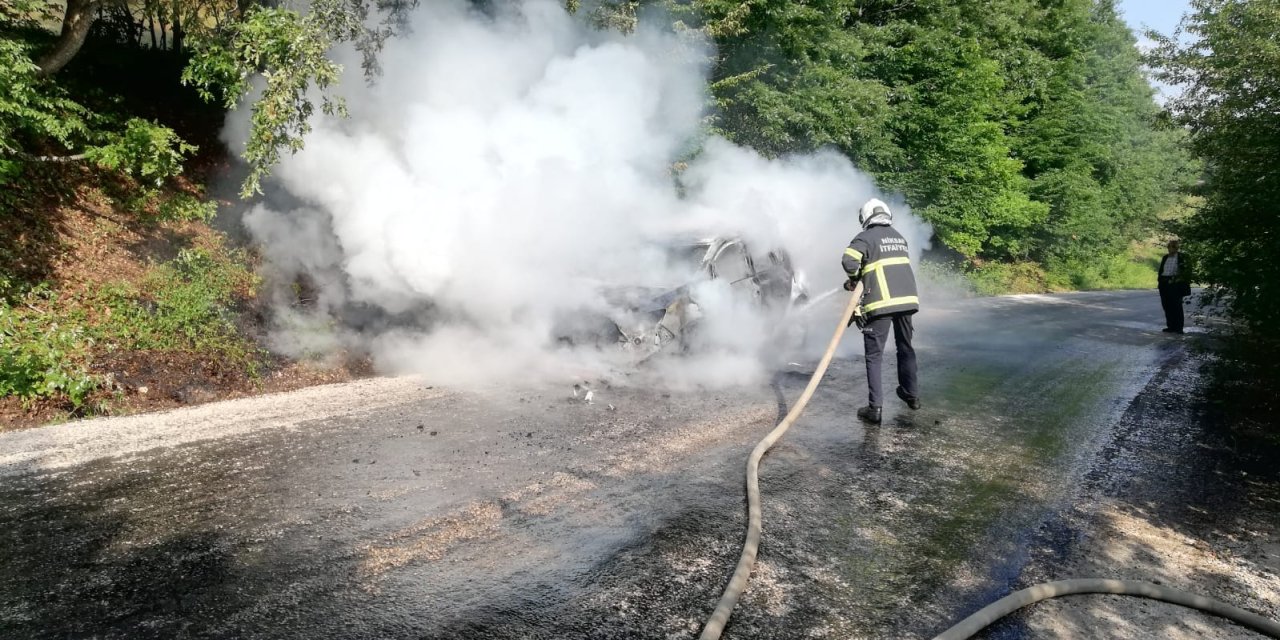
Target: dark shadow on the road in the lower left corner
75	564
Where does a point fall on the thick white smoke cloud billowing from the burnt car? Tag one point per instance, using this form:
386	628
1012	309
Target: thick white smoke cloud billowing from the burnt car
504	170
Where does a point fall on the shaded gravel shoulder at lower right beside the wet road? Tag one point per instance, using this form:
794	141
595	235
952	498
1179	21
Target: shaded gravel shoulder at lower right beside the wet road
1182	497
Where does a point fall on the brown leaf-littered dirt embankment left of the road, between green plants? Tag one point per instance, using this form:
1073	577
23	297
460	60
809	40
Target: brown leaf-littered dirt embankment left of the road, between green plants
71	241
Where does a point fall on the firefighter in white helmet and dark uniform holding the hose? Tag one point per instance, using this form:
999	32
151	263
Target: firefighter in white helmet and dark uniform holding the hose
879	259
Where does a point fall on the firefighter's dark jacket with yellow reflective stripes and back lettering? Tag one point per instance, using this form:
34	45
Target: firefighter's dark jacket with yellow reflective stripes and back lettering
879	258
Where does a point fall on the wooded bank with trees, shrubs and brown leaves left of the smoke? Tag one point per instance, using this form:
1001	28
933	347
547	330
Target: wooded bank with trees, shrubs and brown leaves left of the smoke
116	292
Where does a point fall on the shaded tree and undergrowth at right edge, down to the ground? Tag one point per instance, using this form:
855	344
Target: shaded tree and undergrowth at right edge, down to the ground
1226	58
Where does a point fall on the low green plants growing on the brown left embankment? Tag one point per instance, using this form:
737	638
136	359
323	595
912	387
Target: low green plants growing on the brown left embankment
52	335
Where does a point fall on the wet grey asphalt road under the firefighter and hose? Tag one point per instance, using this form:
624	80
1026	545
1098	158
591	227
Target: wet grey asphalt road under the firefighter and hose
387	509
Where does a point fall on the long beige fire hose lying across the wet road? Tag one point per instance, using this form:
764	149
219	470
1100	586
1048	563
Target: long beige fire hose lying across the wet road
989	615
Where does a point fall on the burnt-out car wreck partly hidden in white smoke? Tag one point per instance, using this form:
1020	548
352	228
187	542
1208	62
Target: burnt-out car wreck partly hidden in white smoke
646	322
